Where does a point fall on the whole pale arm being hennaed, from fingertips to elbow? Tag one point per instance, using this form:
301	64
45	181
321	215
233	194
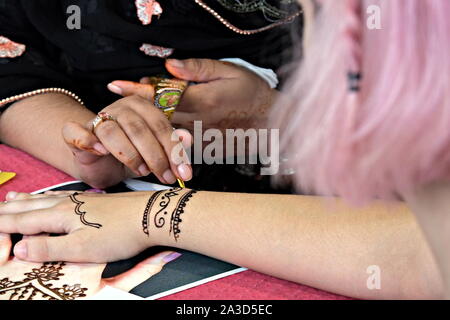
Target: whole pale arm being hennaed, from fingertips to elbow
303	239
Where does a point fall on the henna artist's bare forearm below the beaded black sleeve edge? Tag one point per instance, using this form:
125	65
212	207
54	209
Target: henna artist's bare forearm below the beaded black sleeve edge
34	125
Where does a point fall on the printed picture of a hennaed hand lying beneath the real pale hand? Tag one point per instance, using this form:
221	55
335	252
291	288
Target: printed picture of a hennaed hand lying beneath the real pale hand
20	280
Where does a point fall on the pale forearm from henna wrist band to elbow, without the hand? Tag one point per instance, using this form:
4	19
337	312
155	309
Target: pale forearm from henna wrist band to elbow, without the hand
308	240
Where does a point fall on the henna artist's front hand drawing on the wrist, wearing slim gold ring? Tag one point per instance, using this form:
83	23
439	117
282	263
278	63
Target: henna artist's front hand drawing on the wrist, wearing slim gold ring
138	143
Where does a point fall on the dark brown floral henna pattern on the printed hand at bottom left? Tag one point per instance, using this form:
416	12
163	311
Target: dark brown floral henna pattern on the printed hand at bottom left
37	285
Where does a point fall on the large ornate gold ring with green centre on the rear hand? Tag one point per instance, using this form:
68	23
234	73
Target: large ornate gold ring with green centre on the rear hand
168	94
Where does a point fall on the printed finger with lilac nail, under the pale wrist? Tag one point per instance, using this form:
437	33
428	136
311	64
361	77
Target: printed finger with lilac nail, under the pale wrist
142	272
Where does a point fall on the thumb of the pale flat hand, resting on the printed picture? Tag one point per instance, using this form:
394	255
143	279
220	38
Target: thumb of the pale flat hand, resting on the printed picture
70	248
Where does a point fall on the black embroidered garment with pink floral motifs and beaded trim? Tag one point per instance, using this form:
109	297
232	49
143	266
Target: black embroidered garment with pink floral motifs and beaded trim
114	44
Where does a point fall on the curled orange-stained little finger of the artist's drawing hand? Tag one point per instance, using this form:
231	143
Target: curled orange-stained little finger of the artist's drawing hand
79	138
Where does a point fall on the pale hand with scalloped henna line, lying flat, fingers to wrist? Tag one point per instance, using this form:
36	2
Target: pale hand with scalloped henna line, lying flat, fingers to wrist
97	228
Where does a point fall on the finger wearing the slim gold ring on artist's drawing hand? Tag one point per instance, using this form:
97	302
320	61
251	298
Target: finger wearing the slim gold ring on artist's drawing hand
117	142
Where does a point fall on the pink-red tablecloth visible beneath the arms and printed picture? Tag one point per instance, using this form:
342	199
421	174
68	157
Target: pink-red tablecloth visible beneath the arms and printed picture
33	175
